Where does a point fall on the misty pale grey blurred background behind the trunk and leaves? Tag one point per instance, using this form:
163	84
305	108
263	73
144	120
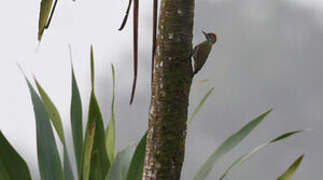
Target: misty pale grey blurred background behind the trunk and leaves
269	55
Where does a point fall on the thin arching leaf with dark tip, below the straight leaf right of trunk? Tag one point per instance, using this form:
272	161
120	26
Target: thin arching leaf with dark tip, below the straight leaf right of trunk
247	155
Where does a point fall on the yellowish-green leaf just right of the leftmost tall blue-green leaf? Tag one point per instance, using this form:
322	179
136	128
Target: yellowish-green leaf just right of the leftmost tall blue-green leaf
57	122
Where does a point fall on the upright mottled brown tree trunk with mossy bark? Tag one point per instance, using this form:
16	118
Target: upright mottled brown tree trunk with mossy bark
171	84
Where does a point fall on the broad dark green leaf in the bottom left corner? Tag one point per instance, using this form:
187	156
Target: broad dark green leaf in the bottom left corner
12	166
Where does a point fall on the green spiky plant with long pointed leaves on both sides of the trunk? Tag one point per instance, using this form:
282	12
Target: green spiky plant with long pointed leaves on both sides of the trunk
94	152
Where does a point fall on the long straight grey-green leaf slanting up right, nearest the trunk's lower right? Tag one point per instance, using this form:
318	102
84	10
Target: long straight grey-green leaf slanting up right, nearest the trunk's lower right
227	145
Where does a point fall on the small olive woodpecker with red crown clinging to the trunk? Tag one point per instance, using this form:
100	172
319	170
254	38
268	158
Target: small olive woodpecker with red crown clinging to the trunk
202	51
